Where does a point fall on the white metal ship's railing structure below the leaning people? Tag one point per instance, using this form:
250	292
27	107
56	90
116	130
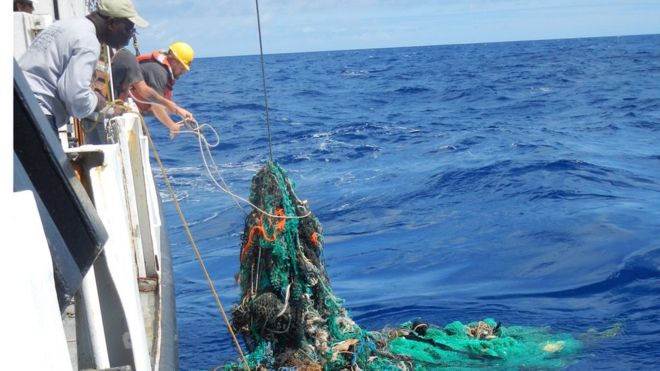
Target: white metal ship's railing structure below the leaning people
125	197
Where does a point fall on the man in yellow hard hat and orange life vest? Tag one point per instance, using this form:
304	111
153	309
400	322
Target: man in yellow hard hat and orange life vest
161	69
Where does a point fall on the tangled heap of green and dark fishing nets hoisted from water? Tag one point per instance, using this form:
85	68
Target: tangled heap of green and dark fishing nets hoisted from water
289	316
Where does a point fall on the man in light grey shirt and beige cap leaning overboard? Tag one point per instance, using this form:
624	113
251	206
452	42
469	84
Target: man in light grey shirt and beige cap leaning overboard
61	61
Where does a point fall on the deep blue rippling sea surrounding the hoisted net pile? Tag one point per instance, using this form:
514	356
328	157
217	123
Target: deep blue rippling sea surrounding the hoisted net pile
518	181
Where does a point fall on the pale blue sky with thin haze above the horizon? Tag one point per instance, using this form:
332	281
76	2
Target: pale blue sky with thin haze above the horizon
229	27
